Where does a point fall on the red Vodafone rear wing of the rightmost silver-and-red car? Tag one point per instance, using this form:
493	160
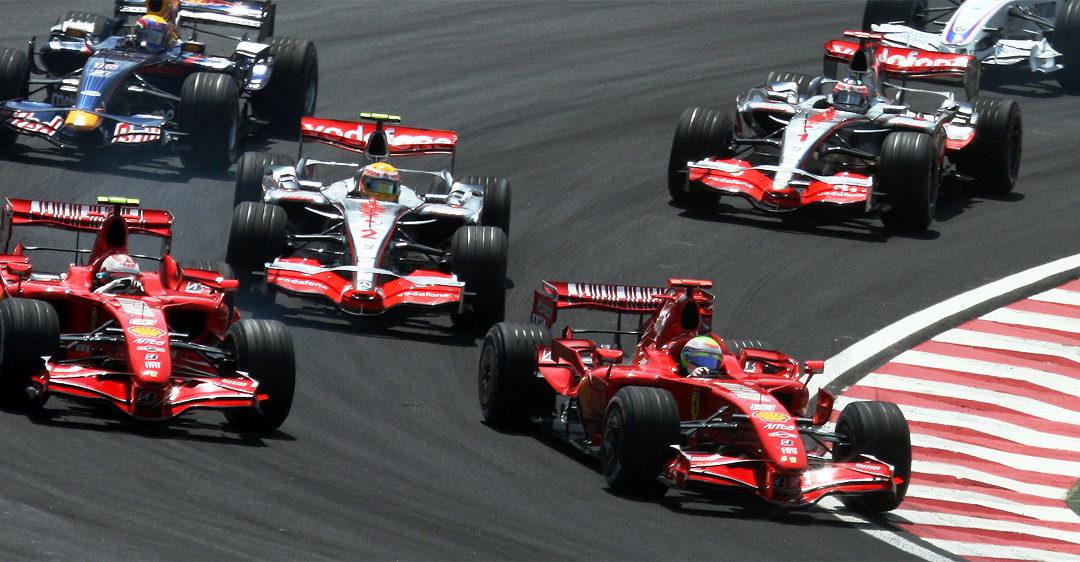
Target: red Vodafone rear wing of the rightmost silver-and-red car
871	55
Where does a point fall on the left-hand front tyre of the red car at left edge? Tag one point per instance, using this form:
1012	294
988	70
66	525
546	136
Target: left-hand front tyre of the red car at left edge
29	330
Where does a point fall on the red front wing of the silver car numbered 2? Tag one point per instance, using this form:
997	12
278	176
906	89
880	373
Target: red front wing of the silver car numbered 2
306	277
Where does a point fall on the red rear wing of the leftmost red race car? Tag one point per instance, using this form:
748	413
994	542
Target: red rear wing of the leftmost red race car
82	218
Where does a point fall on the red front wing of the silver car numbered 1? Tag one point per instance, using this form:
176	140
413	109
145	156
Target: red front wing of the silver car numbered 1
737	178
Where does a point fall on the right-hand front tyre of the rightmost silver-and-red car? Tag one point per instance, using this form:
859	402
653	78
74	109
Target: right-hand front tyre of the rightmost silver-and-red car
908	176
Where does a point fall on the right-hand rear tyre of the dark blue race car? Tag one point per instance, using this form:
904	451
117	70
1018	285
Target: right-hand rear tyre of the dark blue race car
293	88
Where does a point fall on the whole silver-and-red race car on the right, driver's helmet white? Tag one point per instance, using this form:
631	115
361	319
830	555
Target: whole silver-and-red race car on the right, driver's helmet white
854	143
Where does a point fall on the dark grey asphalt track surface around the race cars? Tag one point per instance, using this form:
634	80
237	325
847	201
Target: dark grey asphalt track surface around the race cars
385	456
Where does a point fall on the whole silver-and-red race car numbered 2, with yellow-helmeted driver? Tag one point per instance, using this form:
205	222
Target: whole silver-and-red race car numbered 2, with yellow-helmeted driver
356	236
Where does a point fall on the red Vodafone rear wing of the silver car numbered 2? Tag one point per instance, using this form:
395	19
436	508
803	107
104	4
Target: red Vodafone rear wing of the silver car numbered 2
377	141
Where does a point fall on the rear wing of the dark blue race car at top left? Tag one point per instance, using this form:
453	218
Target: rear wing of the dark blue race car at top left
250	15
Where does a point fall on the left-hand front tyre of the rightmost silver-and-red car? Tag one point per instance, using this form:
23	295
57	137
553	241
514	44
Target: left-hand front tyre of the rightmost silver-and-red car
700	133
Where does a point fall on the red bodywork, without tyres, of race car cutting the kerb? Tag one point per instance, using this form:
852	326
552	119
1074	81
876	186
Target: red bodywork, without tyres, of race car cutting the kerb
762	399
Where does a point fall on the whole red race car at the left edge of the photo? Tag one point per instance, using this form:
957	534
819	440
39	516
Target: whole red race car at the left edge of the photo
152	344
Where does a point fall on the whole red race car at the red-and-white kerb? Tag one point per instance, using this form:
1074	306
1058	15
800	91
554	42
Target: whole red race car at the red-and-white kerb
686	410
